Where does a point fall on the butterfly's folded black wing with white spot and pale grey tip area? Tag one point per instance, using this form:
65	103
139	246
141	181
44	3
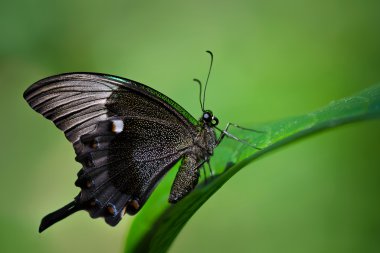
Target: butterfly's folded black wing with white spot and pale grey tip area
125	134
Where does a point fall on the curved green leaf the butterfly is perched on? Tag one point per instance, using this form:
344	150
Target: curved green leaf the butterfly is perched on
158	224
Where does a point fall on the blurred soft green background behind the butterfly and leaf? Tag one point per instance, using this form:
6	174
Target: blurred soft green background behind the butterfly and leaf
273	59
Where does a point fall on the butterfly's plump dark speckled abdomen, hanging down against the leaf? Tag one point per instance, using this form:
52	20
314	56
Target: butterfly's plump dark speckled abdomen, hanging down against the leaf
186	178
